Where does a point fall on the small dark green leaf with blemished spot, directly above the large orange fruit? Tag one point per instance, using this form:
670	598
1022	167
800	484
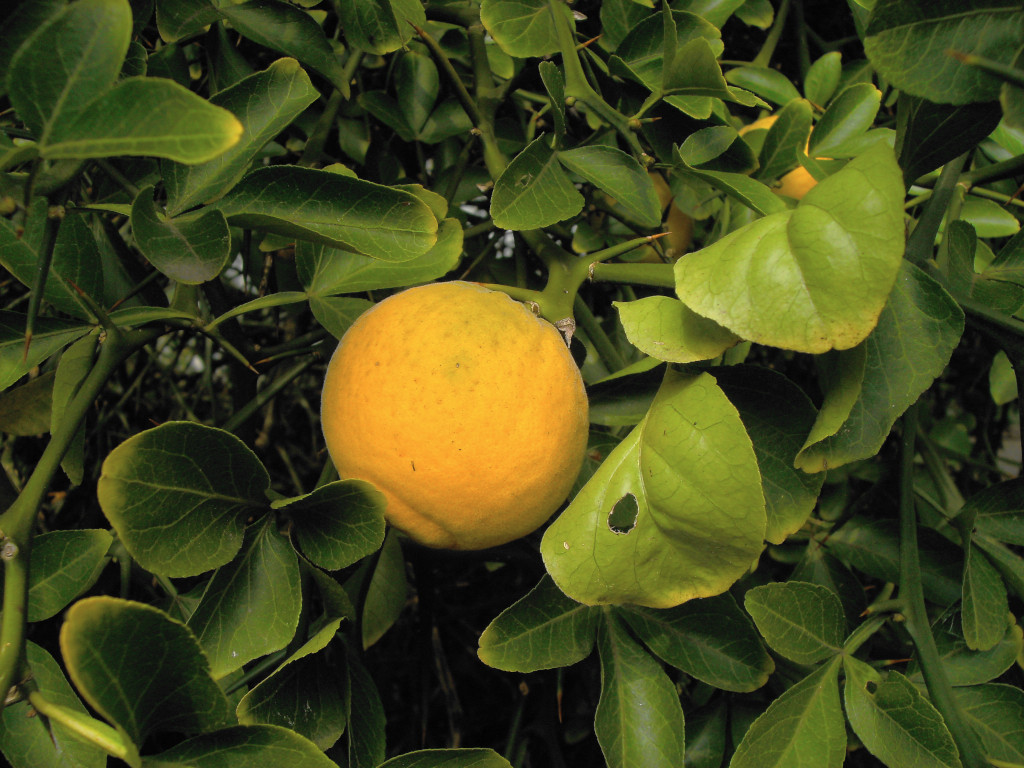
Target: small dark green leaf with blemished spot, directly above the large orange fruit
534	191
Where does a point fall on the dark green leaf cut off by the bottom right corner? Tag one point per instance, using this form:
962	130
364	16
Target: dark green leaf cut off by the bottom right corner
996	712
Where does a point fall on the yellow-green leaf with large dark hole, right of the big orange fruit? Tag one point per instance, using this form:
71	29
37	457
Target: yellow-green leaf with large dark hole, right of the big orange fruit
690	474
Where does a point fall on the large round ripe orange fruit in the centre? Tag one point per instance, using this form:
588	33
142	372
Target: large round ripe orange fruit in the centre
464	408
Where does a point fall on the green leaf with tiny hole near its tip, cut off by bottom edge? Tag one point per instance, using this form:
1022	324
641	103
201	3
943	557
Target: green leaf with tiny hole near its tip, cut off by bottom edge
894	721
